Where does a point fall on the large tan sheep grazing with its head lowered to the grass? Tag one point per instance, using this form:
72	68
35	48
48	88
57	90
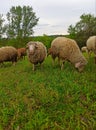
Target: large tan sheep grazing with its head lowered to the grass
67	50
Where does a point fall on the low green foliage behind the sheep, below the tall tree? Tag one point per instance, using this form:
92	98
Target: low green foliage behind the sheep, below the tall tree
21	42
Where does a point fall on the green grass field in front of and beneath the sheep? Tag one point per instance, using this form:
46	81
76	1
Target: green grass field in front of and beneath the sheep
48	98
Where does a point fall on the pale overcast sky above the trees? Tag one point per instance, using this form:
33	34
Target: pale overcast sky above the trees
55	16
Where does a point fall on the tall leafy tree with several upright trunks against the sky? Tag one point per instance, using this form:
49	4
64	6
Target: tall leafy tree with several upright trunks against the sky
21	21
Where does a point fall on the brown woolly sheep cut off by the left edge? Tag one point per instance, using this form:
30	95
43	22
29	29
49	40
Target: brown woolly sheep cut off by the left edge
8	53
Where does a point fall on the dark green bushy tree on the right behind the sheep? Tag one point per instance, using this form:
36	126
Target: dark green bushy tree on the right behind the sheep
83	29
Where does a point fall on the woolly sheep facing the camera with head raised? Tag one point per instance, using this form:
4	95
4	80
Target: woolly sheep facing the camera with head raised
36	52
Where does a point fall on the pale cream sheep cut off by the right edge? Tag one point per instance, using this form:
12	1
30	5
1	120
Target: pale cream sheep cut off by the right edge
91	46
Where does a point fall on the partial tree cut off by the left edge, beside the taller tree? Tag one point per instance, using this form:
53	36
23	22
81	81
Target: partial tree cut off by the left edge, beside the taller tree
2	26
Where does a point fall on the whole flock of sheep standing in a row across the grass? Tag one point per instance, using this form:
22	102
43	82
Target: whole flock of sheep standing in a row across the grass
65	49
